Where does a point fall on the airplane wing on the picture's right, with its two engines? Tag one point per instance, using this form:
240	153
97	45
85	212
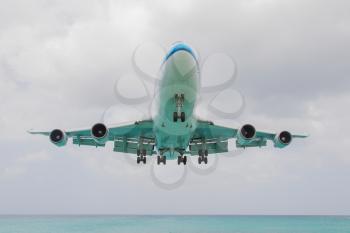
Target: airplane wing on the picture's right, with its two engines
214	138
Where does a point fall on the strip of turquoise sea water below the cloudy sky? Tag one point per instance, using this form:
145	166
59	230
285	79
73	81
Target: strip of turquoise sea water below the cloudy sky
174	224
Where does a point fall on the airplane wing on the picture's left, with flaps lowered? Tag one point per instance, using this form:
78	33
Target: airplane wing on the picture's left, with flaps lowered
127	138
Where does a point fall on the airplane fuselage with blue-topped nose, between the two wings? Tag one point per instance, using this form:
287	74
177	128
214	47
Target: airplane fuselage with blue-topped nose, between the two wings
177	95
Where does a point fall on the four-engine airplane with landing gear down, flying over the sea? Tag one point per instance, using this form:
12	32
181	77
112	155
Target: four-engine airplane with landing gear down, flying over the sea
175	131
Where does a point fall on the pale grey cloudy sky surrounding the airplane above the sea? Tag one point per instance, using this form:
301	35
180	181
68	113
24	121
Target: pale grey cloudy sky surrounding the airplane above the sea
62	63
